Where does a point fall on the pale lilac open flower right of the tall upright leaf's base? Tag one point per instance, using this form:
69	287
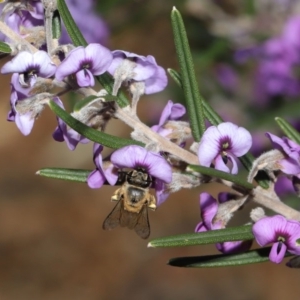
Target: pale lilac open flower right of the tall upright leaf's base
222	144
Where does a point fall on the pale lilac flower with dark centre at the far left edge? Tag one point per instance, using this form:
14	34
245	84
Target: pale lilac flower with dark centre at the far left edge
30	66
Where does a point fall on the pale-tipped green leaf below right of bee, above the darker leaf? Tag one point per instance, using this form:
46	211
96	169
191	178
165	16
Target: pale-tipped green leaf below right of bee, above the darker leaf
202	238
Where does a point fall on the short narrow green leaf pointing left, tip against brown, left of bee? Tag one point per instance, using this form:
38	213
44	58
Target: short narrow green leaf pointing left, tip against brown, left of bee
65	174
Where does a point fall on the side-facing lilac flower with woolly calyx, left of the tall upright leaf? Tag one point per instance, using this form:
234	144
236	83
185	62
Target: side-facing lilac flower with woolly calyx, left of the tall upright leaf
141	69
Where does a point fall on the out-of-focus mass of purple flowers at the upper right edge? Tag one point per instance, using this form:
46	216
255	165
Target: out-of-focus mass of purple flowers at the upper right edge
278	58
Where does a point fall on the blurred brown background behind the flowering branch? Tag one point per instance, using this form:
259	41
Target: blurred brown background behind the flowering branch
52	245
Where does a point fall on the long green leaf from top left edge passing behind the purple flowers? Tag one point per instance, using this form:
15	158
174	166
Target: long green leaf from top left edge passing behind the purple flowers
77	38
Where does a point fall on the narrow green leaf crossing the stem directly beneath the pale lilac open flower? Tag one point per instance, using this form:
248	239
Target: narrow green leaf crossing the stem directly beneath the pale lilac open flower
220	174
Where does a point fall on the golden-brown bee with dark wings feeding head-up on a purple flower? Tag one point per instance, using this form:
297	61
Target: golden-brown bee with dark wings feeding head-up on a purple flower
133	198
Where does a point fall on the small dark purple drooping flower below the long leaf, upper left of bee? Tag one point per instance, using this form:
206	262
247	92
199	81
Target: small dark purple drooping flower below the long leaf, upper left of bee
69	135
